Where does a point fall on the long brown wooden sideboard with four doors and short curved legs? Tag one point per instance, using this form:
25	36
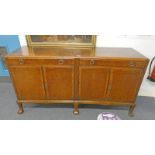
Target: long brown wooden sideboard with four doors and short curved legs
105	76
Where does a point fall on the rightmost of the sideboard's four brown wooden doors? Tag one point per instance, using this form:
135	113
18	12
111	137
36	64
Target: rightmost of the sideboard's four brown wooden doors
124	84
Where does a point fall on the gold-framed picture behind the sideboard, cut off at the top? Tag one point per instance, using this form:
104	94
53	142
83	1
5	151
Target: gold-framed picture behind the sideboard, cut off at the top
61	40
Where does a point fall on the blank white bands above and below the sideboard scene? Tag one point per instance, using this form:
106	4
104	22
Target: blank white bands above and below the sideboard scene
101	17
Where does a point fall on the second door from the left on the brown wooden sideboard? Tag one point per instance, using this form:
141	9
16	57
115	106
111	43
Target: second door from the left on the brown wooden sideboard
59	82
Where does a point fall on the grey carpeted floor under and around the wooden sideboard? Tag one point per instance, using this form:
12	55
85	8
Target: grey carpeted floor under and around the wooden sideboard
145	109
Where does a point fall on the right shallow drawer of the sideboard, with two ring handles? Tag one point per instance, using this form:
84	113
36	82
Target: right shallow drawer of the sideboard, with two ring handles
114	62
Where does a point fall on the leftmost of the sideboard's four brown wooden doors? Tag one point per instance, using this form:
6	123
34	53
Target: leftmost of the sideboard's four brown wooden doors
28	82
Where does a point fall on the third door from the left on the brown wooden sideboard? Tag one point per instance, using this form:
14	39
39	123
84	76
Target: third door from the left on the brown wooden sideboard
93	82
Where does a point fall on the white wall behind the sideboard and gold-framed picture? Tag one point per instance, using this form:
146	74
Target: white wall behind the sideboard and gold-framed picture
143	44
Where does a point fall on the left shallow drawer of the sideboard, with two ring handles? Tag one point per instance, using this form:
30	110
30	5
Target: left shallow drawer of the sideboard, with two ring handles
24	61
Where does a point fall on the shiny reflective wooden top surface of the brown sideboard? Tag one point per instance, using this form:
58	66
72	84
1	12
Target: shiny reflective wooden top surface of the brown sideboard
56	52
